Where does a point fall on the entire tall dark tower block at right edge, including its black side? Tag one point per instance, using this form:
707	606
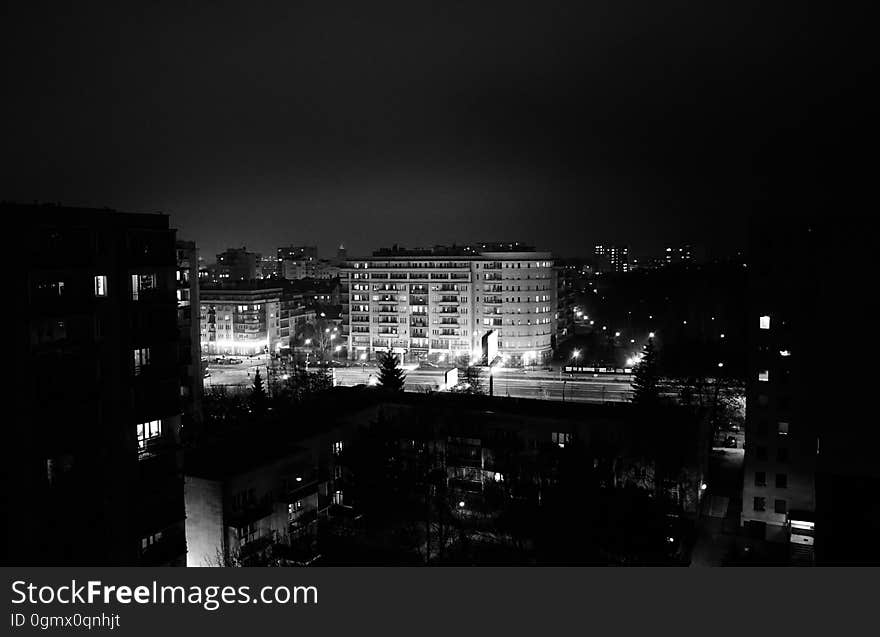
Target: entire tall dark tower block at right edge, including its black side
811	475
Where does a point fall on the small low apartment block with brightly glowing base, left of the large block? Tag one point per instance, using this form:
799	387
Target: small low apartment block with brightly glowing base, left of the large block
244	321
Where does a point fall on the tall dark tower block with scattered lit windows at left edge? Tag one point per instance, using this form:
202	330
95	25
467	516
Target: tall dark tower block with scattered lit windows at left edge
95	463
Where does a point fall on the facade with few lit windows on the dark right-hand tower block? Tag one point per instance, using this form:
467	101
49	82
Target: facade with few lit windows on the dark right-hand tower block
782	434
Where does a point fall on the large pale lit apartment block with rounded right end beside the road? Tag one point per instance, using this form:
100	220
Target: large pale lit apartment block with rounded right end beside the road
438	304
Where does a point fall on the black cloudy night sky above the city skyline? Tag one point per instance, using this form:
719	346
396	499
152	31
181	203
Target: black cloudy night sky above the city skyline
561	124
